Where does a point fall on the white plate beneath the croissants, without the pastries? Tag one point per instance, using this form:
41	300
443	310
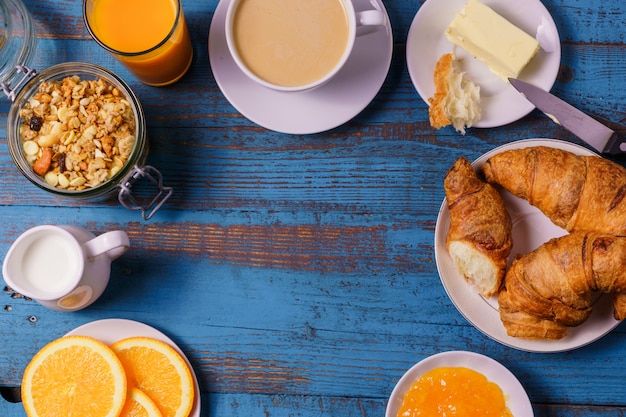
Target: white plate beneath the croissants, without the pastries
531	228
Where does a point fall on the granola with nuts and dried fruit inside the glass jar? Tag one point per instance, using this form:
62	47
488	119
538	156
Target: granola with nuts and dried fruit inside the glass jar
77	134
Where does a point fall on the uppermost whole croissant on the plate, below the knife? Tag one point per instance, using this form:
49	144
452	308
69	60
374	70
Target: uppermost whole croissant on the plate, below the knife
574	192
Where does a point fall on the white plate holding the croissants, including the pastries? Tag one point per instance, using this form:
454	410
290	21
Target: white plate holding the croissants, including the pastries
528	244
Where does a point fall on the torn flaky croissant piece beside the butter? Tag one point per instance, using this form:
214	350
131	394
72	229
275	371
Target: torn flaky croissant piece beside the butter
456	100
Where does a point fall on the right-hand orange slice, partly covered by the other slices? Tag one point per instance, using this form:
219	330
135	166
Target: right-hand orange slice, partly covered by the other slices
158	370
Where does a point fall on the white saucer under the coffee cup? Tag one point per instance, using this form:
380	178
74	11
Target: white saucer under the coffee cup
324	108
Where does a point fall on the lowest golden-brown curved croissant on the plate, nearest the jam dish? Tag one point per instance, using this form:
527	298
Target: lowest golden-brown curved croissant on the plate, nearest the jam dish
552	287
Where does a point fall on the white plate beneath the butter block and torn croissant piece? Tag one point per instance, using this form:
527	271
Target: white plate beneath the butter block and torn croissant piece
501	104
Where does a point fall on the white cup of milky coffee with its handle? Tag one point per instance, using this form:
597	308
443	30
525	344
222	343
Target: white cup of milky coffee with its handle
295	45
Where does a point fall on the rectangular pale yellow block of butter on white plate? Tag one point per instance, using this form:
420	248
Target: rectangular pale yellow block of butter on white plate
486	35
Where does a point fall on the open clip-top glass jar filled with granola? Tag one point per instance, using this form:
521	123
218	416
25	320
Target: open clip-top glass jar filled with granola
77	130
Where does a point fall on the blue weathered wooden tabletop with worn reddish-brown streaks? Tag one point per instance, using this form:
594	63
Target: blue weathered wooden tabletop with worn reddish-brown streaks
297	272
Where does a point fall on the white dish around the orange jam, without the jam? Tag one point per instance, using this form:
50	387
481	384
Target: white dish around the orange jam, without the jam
516	397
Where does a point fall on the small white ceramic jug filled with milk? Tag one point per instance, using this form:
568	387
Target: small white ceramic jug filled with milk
64	268
